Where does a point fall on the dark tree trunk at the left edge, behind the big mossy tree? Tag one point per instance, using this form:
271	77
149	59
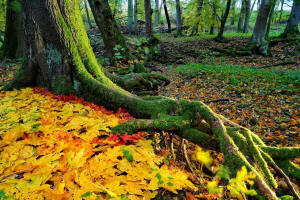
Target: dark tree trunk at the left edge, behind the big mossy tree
13	46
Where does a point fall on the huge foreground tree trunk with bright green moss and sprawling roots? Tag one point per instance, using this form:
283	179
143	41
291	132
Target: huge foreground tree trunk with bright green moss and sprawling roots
60	58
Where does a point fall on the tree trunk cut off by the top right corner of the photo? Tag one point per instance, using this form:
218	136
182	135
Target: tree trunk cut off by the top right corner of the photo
293	21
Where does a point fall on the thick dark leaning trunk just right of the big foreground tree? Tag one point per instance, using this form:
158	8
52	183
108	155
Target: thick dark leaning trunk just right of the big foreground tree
108	27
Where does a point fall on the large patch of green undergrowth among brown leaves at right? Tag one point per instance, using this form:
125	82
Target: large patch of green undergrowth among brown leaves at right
243	78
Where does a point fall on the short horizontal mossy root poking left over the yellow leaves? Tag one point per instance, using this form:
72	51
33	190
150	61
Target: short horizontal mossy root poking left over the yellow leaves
168	123
